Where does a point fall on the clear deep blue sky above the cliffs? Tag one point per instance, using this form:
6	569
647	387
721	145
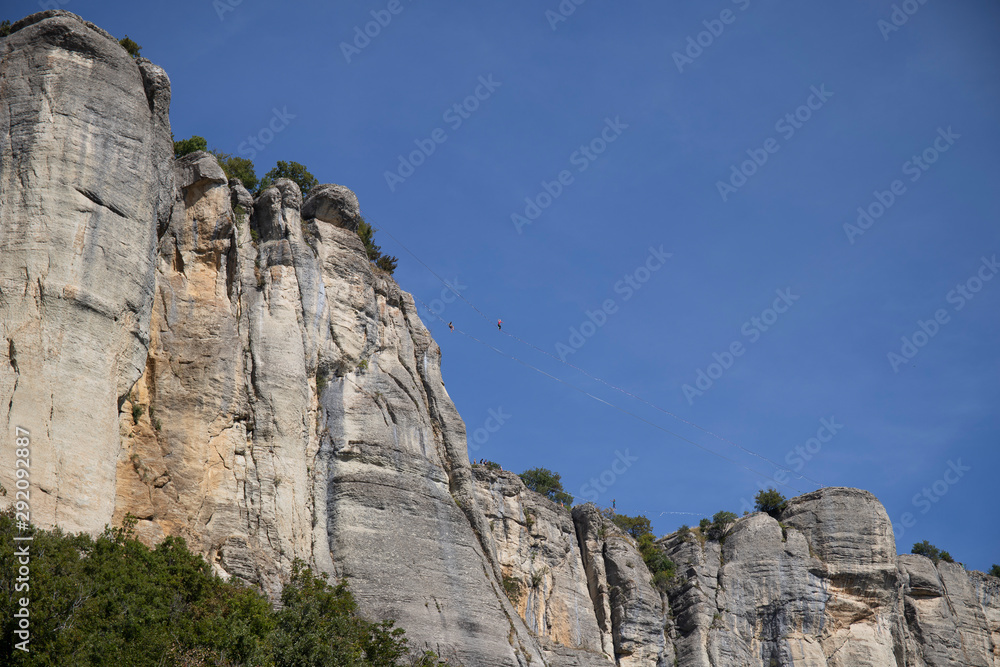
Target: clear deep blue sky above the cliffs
885	96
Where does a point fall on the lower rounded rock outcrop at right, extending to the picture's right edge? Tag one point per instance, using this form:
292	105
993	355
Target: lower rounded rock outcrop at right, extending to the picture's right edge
822	585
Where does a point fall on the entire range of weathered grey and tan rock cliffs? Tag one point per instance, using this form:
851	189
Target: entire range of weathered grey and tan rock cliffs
234	370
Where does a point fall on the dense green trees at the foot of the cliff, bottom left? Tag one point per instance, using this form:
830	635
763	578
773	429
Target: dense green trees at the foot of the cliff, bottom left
112	601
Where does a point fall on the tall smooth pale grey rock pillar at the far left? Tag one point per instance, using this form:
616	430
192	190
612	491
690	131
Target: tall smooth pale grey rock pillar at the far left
84	166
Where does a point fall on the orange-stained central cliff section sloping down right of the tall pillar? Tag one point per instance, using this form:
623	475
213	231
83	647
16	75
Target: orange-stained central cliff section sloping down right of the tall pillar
292	407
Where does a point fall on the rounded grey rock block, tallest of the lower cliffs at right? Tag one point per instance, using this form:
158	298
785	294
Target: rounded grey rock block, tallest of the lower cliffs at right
818	589
